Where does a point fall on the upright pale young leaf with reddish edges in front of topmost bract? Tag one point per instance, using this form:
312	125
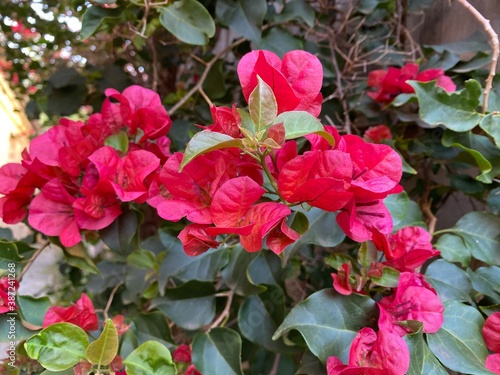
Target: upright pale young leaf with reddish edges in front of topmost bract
262	105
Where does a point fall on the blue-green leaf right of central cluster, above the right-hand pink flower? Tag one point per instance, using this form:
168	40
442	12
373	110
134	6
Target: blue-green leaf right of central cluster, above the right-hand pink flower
404	211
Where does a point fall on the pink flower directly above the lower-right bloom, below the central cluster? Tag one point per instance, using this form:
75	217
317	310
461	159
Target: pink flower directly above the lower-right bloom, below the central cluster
407	249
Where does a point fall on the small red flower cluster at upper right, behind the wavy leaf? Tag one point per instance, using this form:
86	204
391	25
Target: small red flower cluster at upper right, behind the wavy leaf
392	82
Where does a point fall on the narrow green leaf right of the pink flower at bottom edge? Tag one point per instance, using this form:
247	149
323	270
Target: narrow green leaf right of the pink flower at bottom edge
422	361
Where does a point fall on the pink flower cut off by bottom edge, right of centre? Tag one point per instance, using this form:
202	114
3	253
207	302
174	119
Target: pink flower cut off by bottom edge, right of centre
372	353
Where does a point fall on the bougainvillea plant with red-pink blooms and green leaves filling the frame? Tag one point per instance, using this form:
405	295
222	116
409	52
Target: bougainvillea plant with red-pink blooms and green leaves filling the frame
270	241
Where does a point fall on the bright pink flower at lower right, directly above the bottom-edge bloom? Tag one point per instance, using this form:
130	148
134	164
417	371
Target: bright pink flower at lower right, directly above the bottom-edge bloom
413	299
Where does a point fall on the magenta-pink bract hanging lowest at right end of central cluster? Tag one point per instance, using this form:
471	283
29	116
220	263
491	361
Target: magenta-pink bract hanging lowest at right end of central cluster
359	219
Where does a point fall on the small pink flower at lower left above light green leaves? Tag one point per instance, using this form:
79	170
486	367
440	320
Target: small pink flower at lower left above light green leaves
82	314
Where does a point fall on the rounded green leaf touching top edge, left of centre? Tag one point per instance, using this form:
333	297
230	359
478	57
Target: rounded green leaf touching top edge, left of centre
189	21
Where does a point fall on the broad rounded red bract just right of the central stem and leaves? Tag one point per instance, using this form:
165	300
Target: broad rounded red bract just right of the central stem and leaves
319	178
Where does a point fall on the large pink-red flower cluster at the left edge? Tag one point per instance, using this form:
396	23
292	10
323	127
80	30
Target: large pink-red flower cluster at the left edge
81	178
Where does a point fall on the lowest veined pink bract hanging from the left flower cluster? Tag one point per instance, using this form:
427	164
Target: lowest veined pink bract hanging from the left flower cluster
51	212
